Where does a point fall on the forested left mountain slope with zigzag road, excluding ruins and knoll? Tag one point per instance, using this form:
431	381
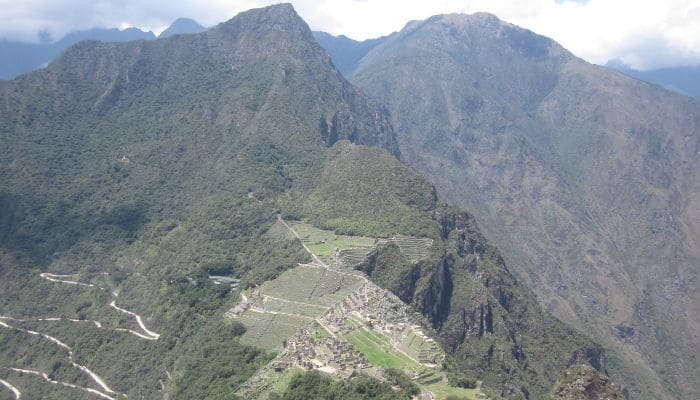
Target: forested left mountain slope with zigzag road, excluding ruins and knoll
131	170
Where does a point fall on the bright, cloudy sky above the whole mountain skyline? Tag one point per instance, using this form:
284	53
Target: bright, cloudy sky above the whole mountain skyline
644	34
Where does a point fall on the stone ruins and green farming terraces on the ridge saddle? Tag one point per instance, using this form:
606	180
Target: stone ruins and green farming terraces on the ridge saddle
329	317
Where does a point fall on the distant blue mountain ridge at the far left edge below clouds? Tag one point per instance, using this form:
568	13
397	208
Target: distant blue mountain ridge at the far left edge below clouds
18	57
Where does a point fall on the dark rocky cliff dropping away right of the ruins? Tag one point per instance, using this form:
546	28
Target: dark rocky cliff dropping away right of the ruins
490	325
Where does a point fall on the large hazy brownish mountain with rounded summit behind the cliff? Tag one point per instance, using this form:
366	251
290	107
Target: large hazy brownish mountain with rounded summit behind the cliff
585	179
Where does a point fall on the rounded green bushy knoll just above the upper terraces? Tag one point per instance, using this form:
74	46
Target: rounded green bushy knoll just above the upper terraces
347	199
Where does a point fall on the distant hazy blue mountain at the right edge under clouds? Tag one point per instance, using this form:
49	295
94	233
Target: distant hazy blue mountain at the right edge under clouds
683	80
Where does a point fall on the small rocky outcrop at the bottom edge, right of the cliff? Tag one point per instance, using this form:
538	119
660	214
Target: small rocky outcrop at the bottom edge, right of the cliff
583	382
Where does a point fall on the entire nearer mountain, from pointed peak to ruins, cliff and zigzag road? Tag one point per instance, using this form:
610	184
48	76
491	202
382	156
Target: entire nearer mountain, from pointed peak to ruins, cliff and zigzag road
149	188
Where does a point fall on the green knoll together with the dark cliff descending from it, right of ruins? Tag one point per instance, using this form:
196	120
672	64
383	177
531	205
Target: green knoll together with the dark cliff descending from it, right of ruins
489	324
